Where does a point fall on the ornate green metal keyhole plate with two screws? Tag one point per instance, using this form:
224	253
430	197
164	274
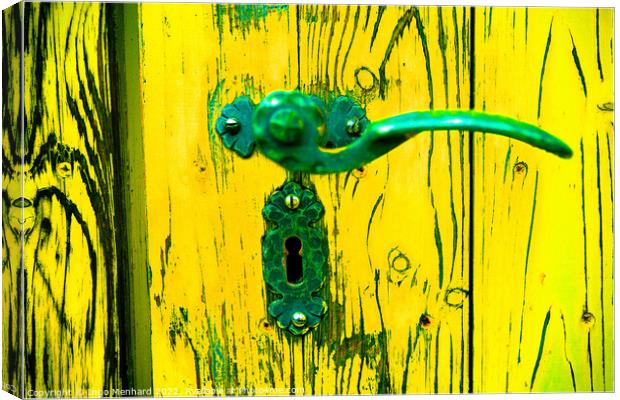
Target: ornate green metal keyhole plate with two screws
295	257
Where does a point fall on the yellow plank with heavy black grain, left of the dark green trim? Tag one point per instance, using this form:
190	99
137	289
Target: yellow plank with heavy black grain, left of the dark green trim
70	270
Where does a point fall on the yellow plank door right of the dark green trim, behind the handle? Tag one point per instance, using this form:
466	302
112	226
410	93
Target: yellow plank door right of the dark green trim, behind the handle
404	253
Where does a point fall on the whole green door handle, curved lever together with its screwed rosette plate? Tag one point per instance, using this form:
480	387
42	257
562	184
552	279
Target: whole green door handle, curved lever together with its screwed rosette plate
289	128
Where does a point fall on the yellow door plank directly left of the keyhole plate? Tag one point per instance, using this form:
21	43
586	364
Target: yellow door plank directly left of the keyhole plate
209	327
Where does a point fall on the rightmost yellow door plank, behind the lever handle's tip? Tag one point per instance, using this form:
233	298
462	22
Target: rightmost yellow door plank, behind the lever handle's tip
543	266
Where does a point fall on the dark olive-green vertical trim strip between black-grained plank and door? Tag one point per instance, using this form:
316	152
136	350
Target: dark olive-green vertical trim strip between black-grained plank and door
131	222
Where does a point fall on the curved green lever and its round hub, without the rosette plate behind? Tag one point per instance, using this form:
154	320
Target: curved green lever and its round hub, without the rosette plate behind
288	128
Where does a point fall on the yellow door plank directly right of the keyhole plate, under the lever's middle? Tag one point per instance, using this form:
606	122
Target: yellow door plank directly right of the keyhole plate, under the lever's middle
398	237
